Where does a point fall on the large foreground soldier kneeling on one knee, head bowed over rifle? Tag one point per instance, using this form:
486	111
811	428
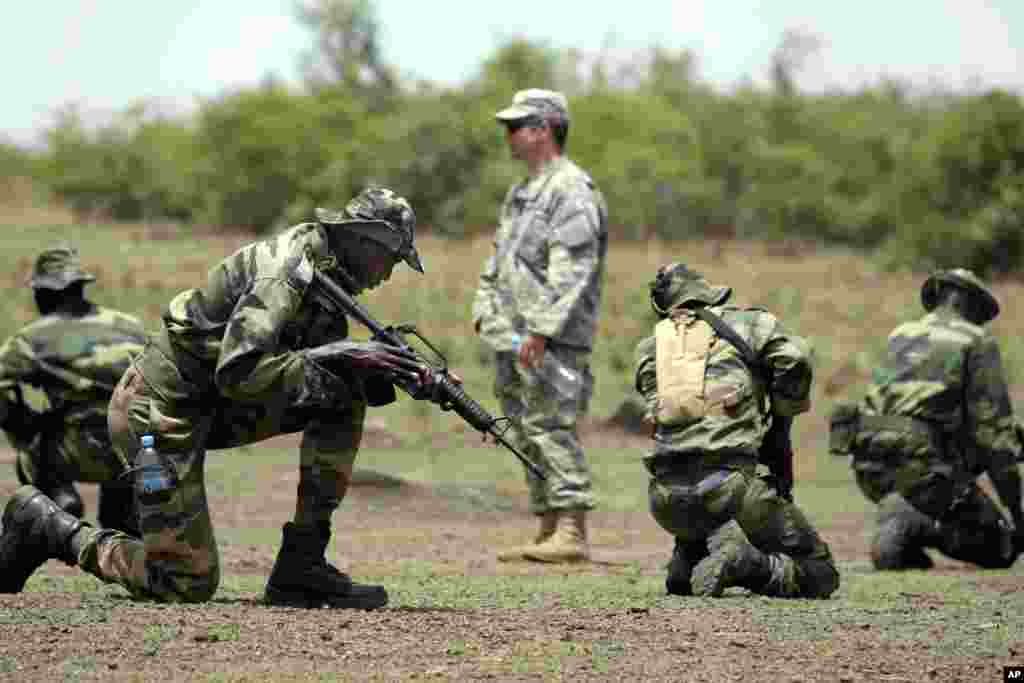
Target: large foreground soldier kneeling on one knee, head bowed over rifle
254	353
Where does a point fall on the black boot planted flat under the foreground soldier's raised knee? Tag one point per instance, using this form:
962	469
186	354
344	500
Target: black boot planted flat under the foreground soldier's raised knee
303	578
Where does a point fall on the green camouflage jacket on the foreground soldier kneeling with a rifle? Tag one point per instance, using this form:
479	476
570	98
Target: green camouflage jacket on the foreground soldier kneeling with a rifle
241	337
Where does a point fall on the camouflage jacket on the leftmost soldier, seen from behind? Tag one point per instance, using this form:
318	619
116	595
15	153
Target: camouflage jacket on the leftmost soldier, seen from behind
75	360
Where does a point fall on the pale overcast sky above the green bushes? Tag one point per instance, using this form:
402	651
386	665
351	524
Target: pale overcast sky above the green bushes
104	55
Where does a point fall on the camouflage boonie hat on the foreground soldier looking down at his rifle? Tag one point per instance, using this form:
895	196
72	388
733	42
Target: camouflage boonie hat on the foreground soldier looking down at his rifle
383	217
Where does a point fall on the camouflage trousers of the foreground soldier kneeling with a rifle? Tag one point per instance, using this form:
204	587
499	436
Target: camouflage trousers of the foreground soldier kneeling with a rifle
178	560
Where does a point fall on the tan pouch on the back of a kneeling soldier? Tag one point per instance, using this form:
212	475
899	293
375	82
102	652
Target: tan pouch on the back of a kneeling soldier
684	344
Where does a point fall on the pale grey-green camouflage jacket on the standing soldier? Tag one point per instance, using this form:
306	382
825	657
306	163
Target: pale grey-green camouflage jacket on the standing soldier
546	274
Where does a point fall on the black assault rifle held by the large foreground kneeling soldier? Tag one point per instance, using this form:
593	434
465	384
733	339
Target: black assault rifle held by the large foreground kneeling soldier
445	392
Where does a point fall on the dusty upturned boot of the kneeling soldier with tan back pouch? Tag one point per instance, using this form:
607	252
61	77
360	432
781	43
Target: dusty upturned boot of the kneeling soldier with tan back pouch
733	561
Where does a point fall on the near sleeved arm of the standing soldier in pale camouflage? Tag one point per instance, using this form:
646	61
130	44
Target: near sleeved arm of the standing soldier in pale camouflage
574	261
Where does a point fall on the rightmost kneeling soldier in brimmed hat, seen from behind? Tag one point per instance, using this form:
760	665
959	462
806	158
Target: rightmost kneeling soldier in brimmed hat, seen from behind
936	416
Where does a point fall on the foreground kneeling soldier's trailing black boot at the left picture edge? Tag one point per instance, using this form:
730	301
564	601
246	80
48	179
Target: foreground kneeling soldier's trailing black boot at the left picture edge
35	530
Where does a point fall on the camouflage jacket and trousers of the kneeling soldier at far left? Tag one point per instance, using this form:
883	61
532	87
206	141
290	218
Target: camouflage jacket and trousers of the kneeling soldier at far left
76	361
